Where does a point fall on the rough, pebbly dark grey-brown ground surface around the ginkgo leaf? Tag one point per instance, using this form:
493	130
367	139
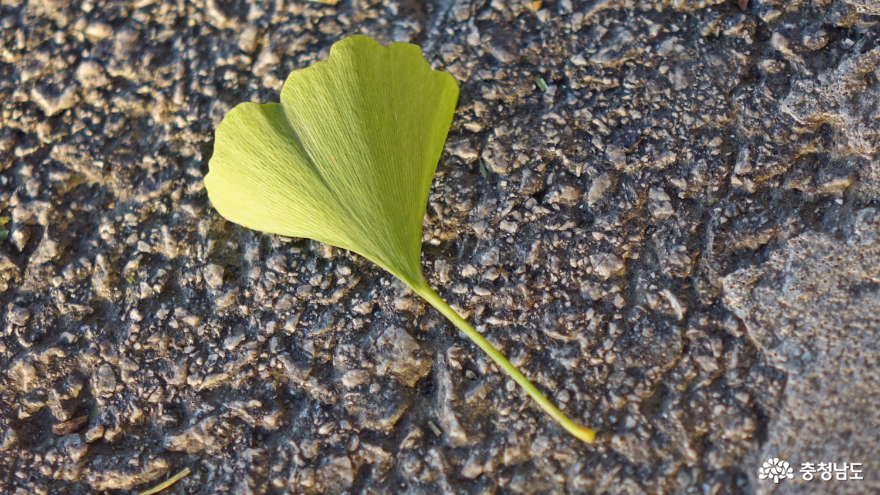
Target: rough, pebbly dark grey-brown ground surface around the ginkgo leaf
677	241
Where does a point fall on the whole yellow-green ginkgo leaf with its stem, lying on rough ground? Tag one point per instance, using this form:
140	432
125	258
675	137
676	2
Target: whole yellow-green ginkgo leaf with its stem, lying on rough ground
347	158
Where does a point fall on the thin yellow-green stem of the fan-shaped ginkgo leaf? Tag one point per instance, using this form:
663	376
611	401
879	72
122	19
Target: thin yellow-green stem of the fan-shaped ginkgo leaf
581	432
